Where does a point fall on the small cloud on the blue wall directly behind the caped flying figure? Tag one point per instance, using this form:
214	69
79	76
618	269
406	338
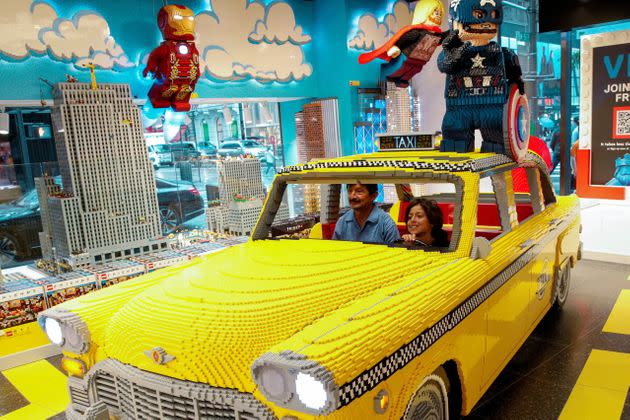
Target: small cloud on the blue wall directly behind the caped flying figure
372	33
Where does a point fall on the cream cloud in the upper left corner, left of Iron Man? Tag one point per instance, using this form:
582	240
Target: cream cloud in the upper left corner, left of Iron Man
29	26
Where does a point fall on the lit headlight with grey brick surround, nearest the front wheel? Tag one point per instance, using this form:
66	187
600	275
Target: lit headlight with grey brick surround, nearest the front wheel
291	381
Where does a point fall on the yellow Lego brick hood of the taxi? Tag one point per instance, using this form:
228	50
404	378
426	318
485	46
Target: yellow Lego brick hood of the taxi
221	312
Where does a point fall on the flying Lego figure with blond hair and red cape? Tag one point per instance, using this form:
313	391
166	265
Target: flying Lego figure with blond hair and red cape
417	42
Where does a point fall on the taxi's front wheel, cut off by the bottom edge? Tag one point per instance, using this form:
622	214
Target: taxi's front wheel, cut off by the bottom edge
430	401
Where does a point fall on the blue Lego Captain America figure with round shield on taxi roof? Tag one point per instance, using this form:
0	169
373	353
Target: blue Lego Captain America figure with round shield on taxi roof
481	78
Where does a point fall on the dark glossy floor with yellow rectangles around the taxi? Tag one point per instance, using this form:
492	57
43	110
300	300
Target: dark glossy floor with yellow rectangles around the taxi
569	367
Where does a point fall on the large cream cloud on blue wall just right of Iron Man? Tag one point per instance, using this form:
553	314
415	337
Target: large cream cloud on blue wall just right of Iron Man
227	53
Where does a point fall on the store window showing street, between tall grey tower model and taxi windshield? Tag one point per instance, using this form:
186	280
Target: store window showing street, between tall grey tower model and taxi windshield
186	150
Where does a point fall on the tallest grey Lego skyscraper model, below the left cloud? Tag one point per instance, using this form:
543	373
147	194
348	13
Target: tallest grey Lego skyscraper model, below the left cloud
107	209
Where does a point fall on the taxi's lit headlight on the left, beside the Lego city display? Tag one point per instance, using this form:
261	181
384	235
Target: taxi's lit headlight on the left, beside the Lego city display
65	329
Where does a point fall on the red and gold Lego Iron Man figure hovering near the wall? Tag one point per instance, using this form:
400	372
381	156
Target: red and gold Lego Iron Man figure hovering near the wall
175	63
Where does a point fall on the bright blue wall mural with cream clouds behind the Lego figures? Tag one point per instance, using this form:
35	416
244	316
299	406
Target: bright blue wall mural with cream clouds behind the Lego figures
249	48
